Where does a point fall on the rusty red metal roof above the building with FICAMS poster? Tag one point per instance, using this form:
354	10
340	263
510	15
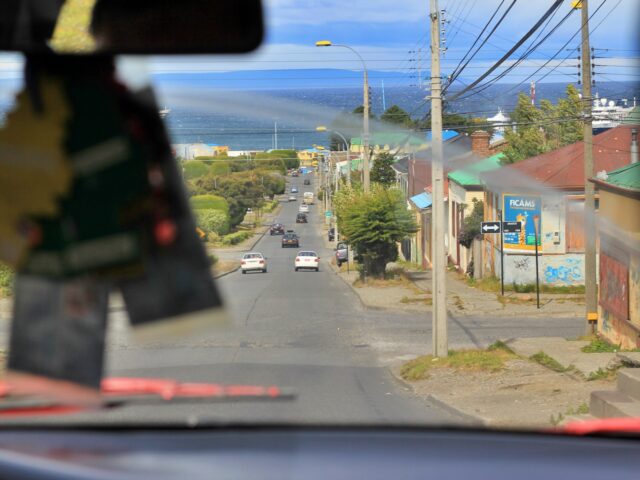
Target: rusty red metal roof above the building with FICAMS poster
564	168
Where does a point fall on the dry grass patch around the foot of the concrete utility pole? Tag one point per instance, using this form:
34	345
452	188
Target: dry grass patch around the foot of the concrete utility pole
493	359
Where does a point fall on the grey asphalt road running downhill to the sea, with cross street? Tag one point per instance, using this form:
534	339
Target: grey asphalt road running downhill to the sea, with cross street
306	331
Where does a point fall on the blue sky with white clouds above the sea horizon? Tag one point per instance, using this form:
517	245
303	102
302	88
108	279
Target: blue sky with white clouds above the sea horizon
392	36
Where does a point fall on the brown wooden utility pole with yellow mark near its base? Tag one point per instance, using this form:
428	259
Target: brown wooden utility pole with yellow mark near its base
591	292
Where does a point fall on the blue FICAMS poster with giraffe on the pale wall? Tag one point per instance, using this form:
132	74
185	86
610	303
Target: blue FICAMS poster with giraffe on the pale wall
523	209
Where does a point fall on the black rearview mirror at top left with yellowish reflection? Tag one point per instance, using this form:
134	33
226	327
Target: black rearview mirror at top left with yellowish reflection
131	26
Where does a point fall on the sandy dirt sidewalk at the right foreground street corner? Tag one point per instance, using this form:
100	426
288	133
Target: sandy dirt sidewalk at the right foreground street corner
527	392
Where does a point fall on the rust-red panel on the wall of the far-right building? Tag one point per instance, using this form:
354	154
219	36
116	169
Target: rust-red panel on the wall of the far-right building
614	286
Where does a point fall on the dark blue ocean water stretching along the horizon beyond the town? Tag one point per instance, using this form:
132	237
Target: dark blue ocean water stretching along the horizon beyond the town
255	128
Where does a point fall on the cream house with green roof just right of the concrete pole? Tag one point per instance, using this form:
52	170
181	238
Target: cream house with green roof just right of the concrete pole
465	186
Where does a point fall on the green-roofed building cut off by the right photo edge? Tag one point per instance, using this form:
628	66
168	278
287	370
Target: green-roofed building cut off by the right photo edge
619	255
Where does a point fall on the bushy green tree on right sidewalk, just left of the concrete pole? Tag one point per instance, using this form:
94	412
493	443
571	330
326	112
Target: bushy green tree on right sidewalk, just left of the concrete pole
373	223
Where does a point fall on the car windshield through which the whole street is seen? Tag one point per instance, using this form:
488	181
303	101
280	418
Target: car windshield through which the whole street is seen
487	188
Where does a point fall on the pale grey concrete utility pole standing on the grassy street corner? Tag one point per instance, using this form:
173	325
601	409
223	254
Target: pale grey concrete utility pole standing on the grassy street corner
438	290
